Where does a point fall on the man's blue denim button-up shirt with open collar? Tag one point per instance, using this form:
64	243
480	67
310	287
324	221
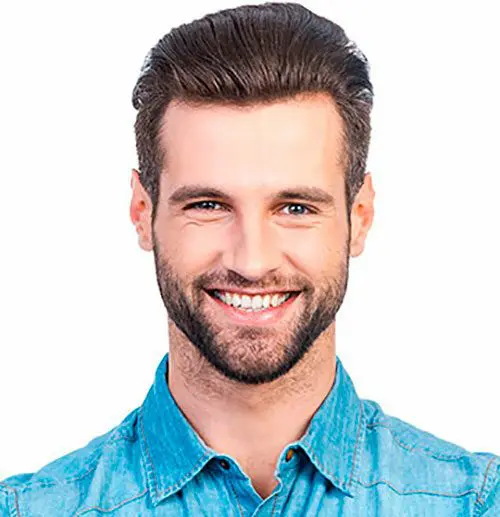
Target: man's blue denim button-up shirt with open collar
353	460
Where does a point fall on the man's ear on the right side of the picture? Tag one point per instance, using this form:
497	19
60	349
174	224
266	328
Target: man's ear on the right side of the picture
362	212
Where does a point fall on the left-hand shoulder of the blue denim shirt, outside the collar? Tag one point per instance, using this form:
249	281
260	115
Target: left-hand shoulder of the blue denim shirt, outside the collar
70	482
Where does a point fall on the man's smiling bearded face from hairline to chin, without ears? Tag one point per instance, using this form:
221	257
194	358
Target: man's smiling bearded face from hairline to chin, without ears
251	237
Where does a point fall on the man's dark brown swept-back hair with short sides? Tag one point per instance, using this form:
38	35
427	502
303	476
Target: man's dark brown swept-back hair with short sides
254	54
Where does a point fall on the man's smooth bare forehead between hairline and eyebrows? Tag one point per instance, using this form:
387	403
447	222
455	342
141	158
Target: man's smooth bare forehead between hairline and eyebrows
289	141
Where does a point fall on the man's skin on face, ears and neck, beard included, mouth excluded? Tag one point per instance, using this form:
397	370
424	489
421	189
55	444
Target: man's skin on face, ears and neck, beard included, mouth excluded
249	391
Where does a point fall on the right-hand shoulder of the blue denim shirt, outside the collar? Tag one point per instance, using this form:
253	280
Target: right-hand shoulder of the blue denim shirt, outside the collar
411	460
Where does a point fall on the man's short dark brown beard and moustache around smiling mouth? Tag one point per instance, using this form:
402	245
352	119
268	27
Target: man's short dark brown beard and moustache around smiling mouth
242	353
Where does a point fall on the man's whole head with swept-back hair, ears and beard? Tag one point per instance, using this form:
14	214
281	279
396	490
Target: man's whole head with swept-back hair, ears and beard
244	117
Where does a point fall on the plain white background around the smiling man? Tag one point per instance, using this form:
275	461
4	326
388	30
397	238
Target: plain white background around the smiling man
82	323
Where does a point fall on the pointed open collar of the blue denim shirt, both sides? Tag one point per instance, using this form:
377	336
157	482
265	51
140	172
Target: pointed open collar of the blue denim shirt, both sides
174	453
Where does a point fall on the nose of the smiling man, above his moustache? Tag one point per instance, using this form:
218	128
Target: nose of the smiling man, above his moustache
253	251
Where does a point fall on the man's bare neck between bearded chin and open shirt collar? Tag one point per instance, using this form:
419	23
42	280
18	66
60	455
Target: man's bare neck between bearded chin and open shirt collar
251	423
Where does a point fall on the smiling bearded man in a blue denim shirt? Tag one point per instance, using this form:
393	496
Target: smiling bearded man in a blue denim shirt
252	133
